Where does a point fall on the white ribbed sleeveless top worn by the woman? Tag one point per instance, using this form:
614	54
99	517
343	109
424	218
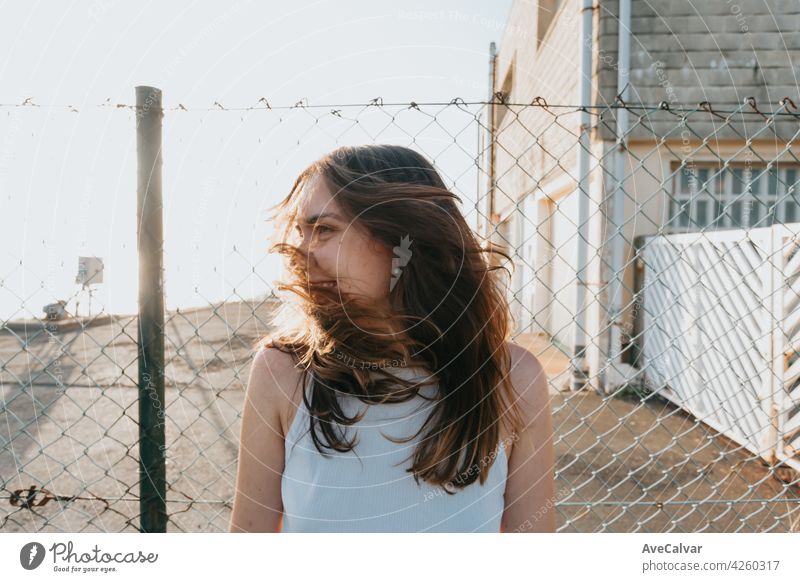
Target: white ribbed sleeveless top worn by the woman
368	488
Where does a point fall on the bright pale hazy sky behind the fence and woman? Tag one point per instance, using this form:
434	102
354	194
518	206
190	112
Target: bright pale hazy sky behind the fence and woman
68	163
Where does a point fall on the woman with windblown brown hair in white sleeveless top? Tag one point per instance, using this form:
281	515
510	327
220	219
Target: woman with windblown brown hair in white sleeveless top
391	398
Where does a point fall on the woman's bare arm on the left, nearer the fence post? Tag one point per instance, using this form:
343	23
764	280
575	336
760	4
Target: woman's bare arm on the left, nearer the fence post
257	505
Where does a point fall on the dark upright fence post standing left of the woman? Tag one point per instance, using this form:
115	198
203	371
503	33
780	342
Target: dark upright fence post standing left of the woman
149	229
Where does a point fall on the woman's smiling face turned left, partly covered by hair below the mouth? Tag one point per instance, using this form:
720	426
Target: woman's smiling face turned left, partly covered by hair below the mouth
339	249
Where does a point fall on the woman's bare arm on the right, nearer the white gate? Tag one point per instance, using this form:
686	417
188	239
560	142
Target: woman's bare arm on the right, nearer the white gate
529	495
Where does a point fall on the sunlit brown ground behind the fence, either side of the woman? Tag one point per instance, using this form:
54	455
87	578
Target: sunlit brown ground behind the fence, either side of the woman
622	464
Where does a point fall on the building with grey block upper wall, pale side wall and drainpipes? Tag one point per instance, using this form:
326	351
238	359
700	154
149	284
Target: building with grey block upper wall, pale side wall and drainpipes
682	54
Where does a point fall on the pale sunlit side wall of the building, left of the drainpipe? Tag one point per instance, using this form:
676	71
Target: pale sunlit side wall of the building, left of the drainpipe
536	163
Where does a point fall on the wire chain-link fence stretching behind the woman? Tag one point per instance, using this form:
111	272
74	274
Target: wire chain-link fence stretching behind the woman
679	411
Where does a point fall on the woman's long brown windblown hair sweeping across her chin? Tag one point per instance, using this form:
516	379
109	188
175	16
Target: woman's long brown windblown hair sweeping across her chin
449	300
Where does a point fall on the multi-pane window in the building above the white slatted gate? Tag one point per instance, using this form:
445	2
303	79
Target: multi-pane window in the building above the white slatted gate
706	196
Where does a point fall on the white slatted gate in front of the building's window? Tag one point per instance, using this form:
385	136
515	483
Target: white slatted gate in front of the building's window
721	335
